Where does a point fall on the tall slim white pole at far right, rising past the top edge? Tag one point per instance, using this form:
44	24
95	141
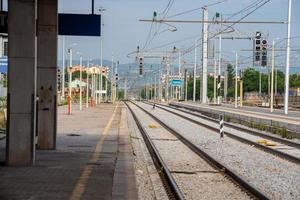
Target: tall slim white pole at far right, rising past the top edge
287	67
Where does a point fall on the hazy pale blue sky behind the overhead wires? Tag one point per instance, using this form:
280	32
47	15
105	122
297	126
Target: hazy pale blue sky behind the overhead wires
122	31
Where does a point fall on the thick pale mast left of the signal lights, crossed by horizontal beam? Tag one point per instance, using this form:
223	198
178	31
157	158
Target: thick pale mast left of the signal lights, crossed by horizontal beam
204	55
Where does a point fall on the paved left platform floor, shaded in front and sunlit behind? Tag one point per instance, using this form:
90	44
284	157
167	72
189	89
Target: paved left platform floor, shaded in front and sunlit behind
83	145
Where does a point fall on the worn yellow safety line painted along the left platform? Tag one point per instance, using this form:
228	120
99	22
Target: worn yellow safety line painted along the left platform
87	170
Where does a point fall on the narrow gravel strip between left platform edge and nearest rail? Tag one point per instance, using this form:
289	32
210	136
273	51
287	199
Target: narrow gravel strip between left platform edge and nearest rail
148	181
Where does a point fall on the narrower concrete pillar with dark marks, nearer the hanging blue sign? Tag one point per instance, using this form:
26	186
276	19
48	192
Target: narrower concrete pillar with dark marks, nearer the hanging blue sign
47	72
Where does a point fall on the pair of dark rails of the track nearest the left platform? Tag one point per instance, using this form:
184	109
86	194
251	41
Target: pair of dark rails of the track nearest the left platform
215	164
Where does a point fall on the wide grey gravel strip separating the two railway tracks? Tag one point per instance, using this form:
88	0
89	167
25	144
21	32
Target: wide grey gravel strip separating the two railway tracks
277	178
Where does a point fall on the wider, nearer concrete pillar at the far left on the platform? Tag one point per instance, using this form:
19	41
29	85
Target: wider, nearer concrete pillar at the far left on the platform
21	82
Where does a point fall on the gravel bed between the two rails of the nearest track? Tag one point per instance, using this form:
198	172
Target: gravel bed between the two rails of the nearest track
195	177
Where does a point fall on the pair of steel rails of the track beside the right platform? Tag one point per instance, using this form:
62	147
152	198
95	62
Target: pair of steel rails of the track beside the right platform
280	153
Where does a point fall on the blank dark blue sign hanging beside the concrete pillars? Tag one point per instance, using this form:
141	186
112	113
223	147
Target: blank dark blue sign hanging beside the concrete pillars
79	24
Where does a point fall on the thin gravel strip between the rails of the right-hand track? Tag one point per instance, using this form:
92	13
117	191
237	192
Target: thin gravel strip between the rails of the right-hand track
279	146
